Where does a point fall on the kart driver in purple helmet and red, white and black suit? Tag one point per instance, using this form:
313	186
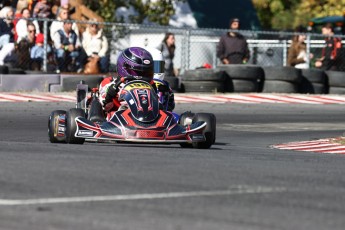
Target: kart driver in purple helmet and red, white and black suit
133	61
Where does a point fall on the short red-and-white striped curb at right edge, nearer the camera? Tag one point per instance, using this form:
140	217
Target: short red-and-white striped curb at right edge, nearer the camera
318	146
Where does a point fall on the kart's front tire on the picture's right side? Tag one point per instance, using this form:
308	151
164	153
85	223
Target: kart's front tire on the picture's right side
209	131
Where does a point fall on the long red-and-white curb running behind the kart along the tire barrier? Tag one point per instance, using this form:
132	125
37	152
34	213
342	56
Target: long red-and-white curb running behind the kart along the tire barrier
246	98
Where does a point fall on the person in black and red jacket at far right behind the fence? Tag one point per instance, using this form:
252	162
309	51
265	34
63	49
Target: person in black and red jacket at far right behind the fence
331	58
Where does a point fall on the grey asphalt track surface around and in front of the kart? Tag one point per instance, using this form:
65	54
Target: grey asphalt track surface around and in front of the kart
240	183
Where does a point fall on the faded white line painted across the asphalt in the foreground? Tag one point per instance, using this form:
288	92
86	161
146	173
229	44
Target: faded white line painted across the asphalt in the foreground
232	191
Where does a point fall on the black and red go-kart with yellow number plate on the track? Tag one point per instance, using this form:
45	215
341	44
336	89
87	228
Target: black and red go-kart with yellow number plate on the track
143	119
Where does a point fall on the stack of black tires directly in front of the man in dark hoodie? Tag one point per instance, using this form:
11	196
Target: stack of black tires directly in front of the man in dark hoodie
243	78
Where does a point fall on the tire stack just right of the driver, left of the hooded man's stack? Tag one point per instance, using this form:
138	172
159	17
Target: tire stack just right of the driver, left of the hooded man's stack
204	80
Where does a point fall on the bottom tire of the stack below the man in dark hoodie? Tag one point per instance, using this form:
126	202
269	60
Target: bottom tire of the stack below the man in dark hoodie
242	85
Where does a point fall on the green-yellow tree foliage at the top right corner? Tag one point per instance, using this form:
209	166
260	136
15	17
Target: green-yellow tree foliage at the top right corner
288	14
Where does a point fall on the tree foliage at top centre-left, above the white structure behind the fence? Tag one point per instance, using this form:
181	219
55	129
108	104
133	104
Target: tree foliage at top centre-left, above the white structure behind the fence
155	11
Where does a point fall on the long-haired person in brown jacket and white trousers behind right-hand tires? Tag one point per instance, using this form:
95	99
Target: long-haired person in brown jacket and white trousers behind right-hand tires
297	55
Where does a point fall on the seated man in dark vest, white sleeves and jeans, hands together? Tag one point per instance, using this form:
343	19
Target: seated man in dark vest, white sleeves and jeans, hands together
67	48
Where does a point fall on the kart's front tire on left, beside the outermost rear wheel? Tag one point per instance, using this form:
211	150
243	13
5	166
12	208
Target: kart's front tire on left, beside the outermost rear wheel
71	126
